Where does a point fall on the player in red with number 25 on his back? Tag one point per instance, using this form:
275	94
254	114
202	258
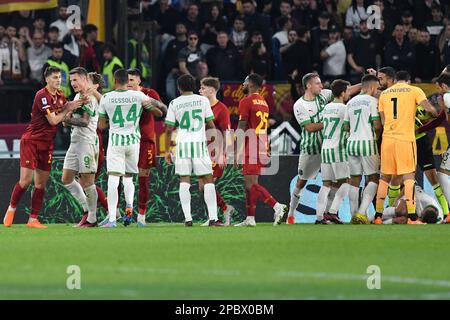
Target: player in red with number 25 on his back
253	118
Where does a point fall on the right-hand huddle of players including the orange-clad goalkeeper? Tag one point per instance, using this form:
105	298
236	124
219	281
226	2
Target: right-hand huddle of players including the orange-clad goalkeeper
341	138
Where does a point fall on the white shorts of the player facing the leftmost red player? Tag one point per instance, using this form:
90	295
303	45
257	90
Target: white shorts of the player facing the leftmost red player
82	157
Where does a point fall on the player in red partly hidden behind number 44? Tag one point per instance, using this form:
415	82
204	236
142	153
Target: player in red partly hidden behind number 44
147	153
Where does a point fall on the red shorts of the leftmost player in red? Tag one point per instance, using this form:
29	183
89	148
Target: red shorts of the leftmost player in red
36	154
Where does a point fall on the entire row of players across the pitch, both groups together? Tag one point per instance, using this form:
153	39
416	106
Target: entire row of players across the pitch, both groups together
339	137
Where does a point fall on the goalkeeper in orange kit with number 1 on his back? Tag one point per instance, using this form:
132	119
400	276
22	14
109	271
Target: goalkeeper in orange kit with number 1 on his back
397	107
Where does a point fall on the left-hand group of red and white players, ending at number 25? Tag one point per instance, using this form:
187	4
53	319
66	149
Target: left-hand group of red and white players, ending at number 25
129	113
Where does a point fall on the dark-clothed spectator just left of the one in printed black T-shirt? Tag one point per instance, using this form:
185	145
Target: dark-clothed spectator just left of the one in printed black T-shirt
171	66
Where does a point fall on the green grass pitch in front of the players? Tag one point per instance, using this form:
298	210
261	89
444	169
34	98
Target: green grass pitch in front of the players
173	262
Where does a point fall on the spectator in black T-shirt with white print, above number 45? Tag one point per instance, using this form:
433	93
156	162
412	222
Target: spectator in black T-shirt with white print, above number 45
191	55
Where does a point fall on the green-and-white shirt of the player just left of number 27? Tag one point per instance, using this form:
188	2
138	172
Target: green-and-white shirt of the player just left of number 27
309	111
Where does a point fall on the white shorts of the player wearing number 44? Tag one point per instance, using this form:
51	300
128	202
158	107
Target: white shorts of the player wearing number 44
123	159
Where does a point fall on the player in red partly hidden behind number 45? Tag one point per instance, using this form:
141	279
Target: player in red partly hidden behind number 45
208	88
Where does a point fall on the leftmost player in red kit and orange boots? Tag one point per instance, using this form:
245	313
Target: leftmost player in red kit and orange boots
50	107
